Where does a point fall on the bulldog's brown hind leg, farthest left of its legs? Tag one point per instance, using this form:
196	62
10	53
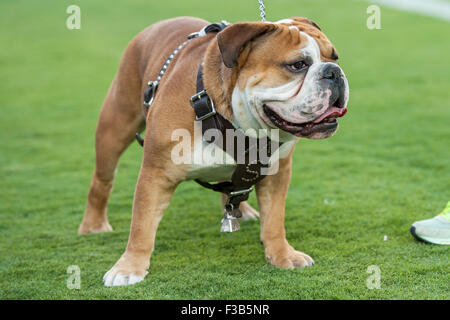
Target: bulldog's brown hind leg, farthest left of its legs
120	118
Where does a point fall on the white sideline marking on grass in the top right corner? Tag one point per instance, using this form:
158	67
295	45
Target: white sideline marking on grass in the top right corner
434	8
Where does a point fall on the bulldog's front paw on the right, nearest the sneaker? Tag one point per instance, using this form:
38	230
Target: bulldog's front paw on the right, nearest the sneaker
289	258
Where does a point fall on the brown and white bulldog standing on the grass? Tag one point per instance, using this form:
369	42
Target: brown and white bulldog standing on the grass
260	75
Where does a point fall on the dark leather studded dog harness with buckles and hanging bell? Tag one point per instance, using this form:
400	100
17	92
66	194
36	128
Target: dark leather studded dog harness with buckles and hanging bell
248	169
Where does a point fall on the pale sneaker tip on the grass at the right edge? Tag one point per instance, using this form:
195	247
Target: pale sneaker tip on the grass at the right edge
435	230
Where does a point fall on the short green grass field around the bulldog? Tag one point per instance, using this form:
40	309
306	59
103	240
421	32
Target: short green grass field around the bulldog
388	166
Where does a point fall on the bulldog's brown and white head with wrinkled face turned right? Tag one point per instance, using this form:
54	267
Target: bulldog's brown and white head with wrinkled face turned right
286	77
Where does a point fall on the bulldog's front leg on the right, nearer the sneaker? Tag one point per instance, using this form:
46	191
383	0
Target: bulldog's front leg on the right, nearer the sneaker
271	193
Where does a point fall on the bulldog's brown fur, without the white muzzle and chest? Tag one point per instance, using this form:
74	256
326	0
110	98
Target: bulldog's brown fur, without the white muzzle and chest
122	116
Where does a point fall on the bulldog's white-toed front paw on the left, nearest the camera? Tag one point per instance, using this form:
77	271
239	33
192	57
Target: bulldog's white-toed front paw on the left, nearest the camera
125	273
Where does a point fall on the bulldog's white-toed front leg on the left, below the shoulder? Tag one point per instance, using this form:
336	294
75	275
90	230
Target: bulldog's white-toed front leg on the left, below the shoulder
153	192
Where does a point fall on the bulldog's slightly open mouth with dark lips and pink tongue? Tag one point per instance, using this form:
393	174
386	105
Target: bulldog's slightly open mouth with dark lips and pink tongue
324	123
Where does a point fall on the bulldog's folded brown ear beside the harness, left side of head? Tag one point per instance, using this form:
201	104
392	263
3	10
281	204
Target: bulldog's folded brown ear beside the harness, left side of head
233	39
